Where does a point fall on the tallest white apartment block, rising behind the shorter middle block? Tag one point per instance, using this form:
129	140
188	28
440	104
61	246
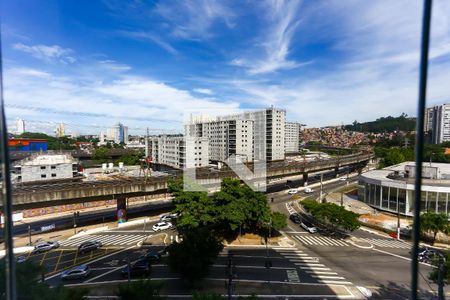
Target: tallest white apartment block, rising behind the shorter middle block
268	132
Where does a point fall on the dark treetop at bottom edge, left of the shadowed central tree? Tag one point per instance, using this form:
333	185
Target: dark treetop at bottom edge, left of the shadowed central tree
139	290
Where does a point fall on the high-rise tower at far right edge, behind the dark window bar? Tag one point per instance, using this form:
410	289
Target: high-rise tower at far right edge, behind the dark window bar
437	120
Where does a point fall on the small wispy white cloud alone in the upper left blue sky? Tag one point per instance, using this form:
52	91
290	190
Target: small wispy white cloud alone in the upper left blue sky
47	53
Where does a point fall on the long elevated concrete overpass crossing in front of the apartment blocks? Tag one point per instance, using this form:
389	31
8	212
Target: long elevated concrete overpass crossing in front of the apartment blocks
44	195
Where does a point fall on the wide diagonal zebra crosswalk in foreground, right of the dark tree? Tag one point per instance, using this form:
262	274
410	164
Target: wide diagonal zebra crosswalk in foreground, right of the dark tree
310	269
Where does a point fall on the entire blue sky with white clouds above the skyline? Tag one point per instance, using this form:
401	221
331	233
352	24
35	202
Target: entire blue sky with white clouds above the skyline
150	63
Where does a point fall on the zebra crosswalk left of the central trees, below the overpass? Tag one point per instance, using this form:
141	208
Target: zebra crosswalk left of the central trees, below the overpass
106	239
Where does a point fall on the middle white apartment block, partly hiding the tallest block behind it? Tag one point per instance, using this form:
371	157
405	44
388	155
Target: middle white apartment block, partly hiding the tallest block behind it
226	138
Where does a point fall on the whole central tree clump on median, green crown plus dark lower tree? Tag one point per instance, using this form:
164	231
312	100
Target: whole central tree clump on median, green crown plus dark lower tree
205	221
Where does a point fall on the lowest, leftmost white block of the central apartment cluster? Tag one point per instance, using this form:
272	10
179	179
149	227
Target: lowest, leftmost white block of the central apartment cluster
177	151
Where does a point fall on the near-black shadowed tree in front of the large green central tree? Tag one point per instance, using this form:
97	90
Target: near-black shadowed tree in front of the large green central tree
193	256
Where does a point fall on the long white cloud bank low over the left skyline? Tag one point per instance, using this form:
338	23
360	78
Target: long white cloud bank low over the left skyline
136	101
